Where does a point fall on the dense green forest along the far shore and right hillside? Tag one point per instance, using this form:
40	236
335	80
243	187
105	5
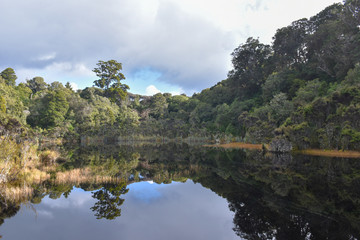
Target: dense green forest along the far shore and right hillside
303	88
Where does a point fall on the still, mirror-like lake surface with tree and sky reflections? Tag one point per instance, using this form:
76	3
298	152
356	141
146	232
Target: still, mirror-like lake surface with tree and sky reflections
183	192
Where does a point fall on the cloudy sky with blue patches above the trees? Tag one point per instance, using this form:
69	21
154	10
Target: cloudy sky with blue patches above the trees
175	46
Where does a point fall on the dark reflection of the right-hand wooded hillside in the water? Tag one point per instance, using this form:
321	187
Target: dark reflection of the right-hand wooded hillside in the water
282	196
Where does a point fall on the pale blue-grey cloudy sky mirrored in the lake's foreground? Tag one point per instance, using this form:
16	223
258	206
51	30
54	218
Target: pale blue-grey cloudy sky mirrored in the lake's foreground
150	211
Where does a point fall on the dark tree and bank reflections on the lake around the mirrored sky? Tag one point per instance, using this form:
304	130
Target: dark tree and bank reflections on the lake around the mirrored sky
272	196
